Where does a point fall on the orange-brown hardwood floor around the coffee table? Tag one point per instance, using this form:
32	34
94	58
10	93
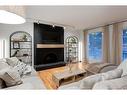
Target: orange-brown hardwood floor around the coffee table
46	75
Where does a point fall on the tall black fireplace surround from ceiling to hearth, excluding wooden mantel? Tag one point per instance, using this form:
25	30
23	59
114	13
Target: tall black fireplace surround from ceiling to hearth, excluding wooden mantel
48	57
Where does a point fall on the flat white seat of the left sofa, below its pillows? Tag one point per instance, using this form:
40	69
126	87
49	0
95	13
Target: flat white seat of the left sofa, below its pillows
30	81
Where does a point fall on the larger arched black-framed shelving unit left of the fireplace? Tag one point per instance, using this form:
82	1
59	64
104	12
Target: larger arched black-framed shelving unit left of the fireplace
21	46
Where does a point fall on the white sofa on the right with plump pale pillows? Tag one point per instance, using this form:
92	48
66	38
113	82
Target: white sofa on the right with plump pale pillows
112	79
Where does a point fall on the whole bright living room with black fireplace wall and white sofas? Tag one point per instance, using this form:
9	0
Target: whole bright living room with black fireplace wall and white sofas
64	47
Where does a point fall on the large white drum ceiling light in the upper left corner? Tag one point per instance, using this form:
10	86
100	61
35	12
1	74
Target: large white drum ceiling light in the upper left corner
12	14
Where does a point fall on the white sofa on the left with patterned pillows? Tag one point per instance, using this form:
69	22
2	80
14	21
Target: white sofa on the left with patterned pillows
30	80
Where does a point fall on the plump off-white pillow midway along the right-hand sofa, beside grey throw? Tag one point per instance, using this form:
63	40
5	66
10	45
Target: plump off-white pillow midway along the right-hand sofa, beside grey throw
116	73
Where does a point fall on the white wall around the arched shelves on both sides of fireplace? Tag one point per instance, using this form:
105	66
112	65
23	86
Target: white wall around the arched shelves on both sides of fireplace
7	30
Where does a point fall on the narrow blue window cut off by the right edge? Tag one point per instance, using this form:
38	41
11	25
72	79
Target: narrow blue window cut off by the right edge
124	44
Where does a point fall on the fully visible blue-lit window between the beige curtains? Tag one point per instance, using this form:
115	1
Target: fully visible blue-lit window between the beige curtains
95	47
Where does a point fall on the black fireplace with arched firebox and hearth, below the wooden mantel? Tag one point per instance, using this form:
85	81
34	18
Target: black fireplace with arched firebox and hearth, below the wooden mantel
49	57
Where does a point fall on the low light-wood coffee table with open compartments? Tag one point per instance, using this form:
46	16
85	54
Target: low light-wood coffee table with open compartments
66	77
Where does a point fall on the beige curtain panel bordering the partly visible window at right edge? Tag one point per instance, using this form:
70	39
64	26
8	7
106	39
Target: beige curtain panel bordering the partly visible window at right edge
116	55
